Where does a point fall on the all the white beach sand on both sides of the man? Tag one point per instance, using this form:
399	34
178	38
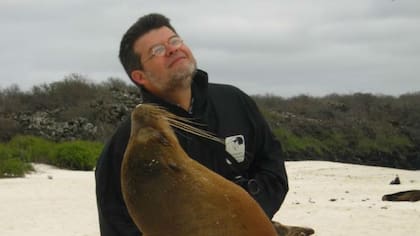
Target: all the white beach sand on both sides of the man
335	199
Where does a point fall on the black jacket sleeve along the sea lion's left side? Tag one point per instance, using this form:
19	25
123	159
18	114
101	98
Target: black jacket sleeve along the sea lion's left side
113	214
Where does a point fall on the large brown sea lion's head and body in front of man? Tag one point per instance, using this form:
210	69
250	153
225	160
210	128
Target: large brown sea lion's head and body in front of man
168	193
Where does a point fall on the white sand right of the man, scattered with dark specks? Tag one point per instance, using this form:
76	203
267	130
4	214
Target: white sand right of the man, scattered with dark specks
358	208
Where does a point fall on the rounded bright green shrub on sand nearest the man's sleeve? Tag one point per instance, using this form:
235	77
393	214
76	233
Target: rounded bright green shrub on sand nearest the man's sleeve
77	155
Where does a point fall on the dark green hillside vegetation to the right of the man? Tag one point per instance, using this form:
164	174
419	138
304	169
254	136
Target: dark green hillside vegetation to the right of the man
358	128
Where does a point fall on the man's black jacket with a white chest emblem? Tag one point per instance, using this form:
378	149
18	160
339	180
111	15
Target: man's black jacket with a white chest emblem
226	111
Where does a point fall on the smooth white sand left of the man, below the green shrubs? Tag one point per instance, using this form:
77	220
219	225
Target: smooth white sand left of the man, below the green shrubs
39	206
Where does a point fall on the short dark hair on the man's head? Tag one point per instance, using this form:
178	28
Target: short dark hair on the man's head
129	59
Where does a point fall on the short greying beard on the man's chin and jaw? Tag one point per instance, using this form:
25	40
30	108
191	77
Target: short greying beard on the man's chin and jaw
179	79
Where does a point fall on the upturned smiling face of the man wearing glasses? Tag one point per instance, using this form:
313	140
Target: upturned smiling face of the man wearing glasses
166	73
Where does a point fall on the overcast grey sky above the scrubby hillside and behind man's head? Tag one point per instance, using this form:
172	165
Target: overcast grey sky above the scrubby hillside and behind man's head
279	47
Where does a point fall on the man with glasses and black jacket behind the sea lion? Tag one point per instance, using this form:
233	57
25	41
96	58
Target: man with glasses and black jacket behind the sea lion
161	64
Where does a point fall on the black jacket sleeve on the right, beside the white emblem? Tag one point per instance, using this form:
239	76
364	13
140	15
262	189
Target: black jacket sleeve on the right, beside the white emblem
268	167
